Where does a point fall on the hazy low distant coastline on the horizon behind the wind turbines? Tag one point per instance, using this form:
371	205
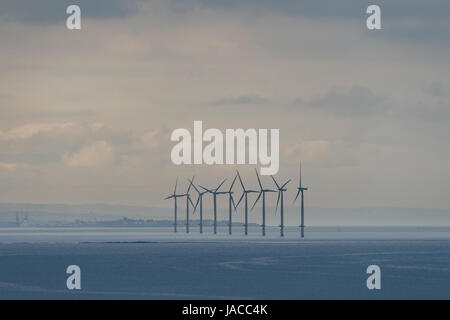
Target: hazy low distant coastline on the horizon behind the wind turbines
110	215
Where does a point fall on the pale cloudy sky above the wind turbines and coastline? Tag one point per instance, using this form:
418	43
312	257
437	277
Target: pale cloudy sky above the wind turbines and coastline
86	115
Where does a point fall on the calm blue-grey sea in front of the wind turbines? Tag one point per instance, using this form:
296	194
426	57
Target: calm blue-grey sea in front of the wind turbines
156	263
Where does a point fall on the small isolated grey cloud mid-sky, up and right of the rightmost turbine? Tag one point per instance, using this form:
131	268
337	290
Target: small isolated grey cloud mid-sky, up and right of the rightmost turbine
354	101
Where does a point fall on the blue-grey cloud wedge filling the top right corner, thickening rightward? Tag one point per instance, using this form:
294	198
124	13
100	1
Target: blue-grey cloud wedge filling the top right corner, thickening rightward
409	21
